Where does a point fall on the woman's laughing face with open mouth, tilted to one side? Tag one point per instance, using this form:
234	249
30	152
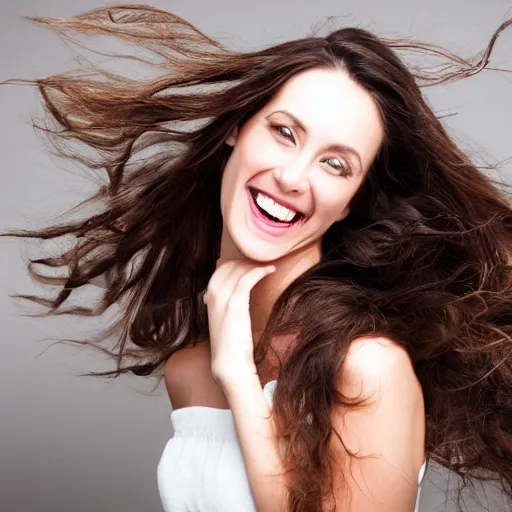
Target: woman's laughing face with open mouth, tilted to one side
297	163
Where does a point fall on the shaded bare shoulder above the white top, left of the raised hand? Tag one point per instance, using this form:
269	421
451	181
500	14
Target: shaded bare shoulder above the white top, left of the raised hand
189	381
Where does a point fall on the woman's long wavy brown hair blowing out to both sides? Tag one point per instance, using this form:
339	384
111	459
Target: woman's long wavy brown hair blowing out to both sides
423	258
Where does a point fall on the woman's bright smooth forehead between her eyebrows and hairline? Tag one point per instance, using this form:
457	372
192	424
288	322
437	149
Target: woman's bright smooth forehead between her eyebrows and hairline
333	108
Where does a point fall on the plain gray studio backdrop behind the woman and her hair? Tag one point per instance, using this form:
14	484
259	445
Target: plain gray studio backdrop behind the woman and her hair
78	444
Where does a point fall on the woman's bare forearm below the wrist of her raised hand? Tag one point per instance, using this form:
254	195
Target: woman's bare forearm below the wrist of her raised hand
258	443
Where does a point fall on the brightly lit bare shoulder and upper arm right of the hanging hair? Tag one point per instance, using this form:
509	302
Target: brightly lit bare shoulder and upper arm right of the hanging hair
389	427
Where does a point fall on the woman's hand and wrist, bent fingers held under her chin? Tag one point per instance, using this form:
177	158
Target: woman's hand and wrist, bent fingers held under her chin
227	300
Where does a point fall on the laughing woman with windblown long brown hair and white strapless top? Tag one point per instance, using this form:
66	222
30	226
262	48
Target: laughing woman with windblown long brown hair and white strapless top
317	234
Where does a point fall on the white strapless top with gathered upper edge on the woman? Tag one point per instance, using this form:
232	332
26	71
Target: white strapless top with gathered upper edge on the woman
202	469
